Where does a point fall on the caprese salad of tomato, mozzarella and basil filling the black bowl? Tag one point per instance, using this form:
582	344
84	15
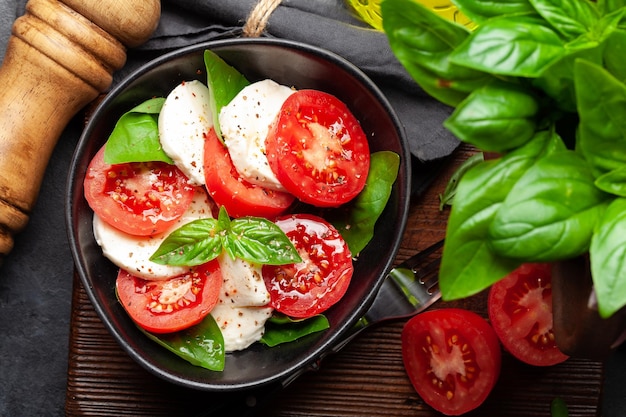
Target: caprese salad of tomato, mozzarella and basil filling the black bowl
209	200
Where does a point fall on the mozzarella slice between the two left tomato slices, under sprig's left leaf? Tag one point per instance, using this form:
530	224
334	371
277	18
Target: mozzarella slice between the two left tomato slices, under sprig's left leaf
132	253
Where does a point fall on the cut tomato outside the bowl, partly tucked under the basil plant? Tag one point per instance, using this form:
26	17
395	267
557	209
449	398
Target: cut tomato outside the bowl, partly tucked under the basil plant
520	310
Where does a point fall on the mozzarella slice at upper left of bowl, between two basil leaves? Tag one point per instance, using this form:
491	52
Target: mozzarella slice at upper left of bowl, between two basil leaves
184	120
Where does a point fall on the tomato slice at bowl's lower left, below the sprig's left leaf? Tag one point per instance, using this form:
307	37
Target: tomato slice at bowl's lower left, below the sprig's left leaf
167	306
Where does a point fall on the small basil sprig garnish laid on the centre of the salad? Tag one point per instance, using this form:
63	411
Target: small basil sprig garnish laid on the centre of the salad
253	239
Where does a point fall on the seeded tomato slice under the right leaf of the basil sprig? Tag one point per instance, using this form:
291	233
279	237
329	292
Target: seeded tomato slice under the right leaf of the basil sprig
310	287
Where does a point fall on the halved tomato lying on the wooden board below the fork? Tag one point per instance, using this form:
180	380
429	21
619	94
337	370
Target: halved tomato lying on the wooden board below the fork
452	357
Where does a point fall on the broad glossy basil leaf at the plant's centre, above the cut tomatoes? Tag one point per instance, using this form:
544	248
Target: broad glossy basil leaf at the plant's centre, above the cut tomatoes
550	213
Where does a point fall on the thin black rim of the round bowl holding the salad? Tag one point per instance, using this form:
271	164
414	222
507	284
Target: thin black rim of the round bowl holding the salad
329	346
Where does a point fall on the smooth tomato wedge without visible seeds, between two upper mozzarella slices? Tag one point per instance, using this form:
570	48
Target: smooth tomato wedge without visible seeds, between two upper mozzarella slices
229	189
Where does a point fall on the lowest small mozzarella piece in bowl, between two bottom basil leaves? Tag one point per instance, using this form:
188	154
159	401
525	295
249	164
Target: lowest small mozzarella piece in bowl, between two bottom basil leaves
240	326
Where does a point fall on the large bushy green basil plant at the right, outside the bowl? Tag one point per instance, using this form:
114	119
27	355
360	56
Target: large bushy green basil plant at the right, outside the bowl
541	83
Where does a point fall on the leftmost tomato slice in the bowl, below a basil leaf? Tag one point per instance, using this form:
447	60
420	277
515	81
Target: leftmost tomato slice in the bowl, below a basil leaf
137	198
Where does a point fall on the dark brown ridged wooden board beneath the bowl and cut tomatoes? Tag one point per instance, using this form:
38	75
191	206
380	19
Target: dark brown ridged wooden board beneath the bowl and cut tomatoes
366	378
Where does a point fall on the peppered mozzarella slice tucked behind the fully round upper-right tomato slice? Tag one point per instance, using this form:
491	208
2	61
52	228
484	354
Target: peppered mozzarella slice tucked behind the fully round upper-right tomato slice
245	122
